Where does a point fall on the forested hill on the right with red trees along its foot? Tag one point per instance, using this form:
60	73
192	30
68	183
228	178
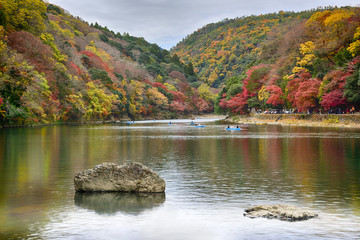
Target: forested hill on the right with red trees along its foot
308	61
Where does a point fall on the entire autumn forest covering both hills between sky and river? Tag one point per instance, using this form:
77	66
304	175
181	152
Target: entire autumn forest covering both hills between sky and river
55	67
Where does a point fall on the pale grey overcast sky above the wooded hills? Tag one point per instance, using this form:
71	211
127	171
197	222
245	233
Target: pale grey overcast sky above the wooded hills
166	22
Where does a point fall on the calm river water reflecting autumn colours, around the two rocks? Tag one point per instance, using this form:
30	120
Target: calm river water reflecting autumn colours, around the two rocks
212	175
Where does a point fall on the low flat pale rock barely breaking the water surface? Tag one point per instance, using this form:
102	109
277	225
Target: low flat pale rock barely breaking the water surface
279	211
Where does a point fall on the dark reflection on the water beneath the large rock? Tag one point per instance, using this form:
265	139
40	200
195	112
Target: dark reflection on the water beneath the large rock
108	203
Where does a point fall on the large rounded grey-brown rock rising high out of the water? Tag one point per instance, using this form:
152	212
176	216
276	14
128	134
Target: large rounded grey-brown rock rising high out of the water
110	177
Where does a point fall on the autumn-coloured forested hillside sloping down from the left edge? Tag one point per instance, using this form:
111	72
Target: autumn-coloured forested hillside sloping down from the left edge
56	67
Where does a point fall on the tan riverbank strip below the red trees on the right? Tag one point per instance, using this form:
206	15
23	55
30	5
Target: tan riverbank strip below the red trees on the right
308	120
